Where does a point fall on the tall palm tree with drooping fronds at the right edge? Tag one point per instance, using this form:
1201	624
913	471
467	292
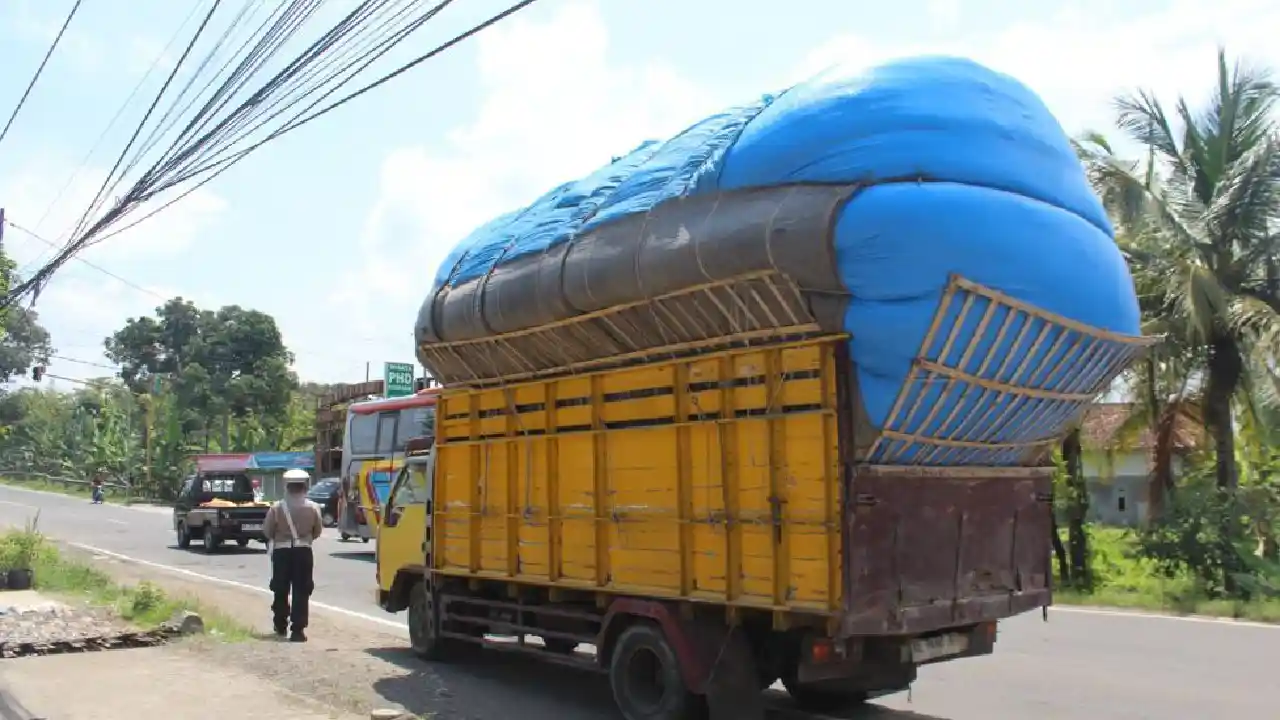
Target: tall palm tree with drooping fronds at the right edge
1197	218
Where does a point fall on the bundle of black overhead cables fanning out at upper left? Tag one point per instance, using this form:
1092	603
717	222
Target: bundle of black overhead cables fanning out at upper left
212	140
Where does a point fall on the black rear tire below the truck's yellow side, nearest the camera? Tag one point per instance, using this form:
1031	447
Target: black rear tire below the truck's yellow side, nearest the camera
644	675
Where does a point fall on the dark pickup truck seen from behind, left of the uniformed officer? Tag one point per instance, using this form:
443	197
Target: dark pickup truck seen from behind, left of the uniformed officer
217	508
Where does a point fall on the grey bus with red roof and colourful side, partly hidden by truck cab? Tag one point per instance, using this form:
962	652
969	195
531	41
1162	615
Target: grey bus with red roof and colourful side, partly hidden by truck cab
373	453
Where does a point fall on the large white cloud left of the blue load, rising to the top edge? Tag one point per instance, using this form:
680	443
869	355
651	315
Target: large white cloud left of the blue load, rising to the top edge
556	107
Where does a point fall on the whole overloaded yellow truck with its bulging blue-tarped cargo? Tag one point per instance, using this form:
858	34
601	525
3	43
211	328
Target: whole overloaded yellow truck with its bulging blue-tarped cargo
772	400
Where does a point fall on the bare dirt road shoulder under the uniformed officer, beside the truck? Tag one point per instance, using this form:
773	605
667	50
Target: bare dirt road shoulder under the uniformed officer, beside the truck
354	667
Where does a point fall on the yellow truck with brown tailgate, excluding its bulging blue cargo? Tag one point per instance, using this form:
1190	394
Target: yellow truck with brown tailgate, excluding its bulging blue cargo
706	518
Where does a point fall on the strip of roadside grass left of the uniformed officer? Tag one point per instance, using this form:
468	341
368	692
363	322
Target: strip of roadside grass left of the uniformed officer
144	605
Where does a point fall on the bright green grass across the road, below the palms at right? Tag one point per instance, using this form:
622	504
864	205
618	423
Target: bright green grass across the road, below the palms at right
1127	581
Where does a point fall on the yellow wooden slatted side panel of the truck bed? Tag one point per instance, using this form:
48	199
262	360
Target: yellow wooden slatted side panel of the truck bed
532	489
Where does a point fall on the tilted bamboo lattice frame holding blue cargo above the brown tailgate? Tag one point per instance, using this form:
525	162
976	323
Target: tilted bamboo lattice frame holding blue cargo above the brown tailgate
998	381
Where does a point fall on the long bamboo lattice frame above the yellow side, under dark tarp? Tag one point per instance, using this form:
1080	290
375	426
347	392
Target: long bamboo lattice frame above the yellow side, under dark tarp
747	309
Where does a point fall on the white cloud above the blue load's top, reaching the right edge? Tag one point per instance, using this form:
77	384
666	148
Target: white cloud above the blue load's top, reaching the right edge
1080	60
